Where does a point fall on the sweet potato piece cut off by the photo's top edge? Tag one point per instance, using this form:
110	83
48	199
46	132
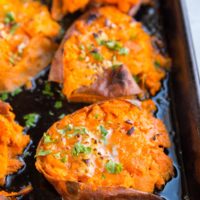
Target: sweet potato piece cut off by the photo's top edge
62	7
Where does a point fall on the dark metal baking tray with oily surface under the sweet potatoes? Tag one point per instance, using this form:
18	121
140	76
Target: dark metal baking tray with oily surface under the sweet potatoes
178	106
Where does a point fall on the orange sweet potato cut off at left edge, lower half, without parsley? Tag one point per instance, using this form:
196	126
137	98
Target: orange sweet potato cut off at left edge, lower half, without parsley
12	142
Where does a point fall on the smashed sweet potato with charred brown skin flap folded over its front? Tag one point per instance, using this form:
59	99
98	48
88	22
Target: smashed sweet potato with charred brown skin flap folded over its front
107	54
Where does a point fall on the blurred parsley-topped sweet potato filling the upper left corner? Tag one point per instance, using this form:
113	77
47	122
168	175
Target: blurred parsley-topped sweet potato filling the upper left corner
26	41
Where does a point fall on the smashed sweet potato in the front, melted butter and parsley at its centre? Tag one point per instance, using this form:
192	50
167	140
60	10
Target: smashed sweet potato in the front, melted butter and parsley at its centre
109	150
